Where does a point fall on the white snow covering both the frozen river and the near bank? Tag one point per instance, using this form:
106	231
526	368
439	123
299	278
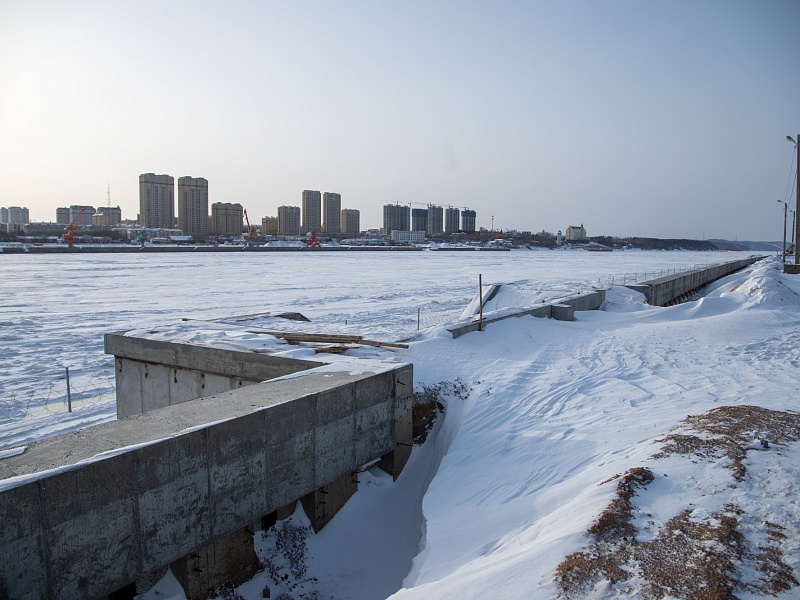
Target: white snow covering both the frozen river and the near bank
514	474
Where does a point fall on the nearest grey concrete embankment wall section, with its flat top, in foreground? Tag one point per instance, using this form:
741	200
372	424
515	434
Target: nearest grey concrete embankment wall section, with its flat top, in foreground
88	512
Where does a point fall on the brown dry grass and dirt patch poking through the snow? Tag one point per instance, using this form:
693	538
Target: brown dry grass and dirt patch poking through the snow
688	558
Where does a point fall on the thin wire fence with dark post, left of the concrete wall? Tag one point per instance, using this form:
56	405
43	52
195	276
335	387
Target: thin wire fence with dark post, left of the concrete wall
64	393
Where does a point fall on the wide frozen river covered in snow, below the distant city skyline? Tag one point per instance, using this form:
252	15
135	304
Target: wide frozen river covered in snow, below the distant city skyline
55	309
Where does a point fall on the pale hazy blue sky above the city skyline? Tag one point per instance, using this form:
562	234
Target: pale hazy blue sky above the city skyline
663	119
